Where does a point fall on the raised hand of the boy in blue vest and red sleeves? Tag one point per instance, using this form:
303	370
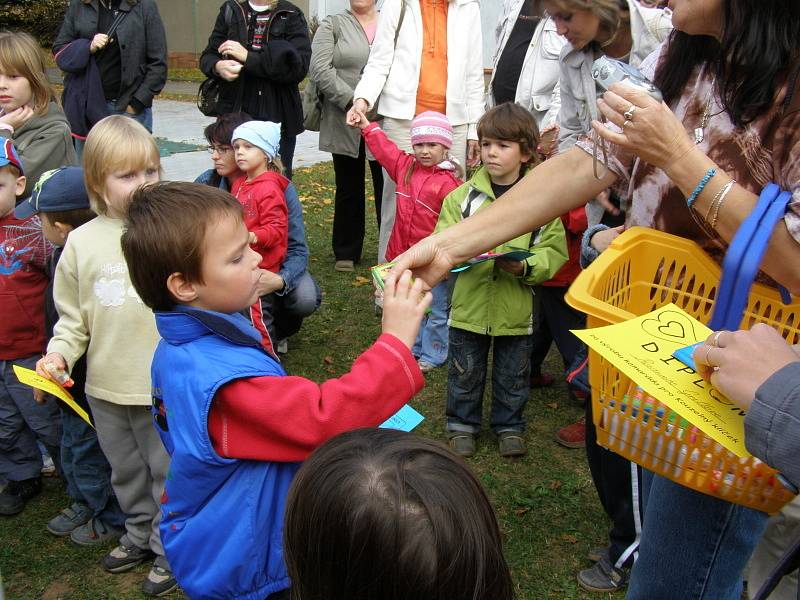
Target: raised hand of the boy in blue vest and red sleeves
404	305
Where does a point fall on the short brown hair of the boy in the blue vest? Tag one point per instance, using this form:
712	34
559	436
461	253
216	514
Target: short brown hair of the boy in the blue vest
164	234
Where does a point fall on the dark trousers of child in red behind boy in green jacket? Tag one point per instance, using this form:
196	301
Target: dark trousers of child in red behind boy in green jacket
554	319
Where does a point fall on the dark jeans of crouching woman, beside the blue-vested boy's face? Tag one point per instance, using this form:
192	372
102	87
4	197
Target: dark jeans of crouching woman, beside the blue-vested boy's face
283	315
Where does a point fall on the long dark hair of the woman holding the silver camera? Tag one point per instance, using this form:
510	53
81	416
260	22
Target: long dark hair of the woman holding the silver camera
752	60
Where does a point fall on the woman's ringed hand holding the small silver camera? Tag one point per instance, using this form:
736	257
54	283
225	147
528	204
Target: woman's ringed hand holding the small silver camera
652	133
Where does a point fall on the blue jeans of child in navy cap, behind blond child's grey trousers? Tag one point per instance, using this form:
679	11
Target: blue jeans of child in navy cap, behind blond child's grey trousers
86	470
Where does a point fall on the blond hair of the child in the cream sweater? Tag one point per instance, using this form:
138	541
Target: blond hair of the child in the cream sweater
116	143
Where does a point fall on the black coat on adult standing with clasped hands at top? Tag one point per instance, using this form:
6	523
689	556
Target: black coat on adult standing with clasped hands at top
266	88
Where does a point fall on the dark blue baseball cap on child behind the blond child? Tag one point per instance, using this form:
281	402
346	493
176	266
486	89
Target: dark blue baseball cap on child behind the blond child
59	196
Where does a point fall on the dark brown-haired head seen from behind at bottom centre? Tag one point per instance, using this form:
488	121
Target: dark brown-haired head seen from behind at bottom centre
379	513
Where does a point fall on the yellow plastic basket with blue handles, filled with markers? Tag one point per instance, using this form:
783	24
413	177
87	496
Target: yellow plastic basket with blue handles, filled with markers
642	270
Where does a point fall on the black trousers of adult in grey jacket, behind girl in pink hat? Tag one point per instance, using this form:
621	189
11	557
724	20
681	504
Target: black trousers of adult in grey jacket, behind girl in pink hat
350	199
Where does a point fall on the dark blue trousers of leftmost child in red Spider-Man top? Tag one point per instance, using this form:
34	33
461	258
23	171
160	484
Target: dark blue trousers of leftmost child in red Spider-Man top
22	422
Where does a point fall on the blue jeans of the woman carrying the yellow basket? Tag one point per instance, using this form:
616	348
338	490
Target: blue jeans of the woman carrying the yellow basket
693	546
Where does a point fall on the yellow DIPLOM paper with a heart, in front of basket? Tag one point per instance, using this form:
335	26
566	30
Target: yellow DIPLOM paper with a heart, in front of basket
642	350
